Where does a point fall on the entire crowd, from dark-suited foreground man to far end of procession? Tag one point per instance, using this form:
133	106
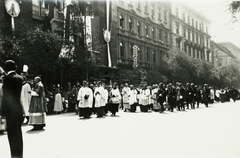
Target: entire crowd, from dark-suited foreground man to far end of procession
19	100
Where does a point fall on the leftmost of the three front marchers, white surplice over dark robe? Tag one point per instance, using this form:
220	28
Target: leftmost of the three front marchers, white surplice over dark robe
85	100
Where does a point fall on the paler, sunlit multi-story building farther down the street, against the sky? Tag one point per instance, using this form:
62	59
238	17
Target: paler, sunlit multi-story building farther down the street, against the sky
190	31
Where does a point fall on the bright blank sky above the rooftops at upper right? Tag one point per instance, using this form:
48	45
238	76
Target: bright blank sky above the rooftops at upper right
222	29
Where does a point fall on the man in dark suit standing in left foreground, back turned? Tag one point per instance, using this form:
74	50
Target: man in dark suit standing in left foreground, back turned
12	108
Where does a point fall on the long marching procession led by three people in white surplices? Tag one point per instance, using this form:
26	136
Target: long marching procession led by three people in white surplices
100	98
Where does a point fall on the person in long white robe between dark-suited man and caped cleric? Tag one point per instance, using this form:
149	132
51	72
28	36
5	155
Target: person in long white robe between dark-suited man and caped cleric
26	98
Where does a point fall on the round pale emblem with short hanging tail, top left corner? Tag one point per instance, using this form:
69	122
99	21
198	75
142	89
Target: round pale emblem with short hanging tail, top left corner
13	9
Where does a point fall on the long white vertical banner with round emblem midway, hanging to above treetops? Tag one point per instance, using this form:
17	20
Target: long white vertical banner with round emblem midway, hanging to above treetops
107	34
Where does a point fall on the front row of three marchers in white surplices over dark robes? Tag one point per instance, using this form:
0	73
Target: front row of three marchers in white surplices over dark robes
99	100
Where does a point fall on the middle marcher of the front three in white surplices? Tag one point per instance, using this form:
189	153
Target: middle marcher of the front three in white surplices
99	95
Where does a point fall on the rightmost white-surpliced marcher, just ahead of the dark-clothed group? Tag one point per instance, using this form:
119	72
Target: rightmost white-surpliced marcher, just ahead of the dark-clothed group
144	99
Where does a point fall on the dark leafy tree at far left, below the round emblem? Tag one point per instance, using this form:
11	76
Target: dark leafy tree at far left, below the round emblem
33	47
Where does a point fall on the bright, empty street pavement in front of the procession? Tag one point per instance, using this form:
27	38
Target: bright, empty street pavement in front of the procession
212	132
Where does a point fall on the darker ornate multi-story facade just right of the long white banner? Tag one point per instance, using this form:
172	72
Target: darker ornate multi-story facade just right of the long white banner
145	24
